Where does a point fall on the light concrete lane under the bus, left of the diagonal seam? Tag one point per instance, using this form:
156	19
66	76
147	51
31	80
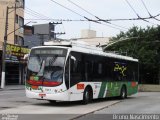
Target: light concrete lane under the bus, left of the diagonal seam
15	102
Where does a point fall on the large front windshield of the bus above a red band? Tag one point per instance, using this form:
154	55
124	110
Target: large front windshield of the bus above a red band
45	67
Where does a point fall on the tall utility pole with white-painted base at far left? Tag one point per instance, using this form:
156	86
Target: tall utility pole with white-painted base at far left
4	52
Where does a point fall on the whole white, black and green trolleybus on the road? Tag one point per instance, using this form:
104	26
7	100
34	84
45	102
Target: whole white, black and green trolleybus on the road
74	71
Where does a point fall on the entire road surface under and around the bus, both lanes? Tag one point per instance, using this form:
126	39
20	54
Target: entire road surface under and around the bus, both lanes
14	102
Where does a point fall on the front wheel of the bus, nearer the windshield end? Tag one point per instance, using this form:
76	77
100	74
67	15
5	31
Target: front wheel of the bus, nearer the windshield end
87	96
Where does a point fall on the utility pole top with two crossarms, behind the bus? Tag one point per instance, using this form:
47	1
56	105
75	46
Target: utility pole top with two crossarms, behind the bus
52	33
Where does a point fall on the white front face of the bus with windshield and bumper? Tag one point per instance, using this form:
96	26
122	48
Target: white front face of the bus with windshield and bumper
45	74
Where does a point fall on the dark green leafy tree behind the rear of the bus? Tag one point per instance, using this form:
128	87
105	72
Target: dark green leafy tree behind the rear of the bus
143	44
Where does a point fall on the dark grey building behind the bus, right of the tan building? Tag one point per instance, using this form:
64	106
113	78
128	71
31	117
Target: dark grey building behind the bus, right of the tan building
36	35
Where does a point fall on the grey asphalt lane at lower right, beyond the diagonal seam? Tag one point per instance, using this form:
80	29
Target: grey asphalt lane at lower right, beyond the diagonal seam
141	103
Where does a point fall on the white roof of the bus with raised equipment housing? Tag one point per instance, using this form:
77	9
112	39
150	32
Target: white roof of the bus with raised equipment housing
80	46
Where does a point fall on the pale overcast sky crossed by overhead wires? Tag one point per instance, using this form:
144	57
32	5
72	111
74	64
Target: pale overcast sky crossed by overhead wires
36	10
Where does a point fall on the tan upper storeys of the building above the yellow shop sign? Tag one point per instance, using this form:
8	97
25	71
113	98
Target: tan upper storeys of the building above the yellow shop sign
15	20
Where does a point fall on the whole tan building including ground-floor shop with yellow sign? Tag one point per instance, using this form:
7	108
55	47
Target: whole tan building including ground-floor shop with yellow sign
12	11
